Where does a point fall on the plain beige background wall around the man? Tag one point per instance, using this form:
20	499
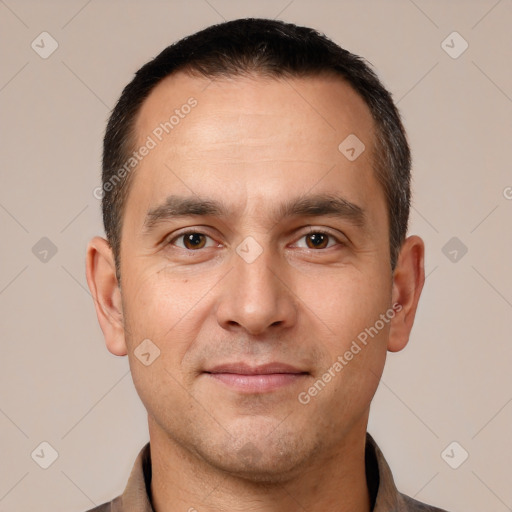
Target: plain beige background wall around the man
58	382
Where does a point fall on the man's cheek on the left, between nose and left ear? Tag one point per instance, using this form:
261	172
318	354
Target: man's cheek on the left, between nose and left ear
158	308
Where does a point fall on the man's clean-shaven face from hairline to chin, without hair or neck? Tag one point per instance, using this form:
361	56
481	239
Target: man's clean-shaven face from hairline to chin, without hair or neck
254	255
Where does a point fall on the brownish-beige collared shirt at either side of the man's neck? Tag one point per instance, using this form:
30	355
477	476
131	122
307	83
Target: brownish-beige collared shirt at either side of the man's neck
383	492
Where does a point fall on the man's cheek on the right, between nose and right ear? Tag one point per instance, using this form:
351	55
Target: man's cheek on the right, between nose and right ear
349	306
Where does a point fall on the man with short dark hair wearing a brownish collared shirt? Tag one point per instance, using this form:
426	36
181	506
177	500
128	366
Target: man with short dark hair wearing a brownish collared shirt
255	200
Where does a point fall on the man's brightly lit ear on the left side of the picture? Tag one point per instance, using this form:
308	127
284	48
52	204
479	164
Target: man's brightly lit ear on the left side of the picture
106	293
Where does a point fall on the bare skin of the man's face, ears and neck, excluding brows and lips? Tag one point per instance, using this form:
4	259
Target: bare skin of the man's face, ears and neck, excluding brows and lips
255	143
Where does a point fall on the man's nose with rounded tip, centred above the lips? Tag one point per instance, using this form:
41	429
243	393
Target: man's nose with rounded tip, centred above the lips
256	296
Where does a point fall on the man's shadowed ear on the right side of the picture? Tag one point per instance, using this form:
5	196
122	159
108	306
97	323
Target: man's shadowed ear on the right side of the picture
408	280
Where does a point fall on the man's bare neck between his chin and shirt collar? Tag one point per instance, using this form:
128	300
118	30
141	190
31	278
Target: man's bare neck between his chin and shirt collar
184	481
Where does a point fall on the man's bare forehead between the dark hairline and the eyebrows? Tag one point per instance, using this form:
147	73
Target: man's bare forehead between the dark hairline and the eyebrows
252	138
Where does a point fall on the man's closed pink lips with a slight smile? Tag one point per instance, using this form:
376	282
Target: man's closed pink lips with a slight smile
256	379
